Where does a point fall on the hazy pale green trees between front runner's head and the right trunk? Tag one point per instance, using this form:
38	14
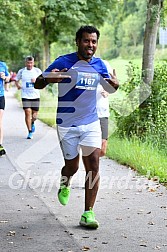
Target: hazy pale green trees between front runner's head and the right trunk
126	23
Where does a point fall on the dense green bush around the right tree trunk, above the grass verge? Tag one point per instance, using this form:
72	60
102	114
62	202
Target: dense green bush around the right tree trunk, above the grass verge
149	121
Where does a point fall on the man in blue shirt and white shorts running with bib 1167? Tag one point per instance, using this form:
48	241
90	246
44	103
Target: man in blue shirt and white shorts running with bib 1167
78	125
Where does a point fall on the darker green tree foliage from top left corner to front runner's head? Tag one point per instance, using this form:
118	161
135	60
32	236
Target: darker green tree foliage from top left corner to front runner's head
32	25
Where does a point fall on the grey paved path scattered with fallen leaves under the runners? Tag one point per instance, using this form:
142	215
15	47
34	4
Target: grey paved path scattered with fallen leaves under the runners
132	210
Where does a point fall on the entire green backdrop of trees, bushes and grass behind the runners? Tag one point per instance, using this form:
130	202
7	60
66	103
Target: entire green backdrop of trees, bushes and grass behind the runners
46	29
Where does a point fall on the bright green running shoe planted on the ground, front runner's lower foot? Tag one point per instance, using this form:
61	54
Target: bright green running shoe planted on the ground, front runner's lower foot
88	220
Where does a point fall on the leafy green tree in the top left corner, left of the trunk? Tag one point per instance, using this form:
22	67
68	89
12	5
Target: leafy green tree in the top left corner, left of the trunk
18	36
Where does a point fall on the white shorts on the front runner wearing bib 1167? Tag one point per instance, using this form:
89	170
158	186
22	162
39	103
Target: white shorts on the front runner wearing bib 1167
72	138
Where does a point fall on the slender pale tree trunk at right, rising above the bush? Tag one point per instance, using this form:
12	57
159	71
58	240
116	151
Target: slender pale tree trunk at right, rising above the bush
150	37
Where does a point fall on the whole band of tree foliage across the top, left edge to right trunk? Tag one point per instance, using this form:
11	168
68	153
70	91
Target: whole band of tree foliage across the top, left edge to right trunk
32	26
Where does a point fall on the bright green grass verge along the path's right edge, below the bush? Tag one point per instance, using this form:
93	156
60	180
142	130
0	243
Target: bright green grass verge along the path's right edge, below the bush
140	156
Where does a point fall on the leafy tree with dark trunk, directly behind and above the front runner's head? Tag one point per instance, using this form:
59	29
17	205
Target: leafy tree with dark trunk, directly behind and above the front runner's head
64	17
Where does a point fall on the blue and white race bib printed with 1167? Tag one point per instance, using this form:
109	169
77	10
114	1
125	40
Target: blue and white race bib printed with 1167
87	81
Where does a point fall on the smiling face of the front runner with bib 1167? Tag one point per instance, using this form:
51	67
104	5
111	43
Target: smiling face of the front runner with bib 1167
87	46
